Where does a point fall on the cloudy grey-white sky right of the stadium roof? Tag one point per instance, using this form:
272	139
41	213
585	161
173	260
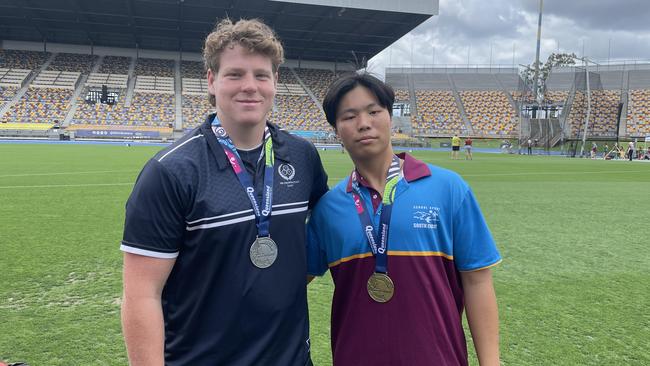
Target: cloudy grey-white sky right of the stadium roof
608	29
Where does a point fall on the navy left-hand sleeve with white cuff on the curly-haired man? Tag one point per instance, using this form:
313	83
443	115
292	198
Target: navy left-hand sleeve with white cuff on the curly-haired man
155	222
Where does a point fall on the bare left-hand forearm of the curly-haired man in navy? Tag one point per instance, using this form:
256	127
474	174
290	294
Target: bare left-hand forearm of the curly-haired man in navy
142	318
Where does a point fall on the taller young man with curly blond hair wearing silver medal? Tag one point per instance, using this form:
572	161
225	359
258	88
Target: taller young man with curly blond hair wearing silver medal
214	236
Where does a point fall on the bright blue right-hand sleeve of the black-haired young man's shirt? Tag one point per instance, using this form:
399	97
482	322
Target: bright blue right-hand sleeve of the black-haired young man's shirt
474	247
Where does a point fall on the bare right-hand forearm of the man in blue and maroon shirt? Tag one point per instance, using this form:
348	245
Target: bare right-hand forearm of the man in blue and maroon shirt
482	315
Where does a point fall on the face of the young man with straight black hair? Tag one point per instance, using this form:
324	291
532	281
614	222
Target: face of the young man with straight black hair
363	125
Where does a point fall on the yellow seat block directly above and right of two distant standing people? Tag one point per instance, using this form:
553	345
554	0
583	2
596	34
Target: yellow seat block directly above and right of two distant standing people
490	112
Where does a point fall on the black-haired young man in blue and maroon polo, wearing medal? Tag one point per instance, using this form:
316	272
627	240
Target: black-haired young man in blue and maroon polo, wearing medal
406	245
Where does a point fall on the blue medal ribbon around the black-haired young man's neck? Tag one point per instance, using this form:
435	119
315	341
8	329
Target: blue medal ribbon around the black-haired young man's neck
378	239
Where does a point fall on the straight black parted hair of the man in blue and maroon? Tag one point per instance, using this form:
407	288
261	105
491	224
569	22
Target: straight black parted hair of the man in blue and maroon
341	86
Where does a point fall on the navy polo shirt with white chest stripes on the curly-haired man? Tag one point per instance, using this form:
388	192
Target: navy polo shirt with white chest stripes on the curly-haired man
220	309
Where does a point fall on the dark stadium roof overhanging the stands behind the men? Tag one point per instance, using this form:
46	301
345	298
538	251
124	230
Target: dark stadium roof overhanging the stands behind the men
309	32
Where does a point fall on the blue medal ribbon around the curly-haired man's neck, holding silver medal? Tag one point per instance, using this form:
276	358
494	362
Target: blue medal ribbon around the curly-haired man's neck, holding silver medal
263	216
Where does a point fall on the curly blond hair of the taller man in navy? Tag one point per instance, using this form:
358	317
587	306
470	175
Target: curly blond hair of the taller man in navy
251	34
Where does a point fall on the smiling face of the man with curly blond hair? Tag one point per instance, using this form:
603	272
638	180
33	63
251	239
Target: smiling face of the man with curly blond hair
244	87
